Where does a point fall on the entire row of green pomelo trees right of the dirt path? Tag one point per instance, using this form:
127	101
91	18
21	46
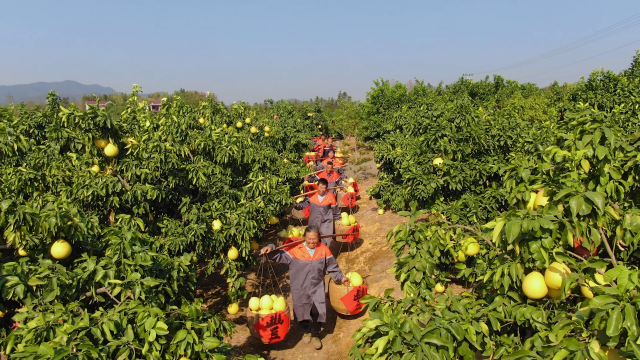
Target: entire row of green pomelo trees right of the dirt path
535	177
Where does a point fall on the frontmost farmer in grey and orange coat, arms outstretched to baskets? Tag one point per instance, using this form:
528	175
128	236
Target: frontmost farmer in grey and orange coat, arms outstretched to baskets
308	263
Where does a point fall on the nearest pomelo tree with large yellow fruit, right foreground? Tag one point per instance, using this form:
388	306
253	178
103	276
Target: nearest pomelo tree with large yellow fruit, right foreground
570	200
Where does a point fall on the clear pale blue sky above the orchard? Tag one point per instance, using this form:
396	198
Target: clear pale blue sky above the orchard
255	50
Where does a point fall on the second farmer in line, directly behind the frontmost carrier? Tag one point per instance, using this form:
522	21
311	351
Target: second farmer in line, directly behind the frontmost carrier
323	210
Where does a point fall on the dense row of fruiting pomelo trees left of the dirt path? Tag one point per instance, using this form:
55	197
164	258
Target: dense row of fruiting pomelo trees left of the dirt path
143	201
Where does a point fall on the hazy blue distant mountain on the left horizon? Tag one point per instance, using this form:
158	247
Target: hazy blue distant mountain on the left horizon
38	91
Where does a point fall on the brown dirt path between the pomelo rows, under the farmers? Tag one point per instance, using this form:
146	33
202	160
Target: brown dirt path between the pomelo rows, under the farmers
372	258
